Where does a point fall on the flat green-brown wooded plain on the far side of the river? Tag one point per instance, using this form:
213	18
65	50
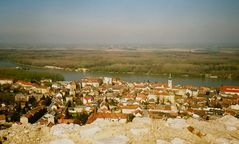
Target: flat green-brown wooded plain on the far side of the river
178	61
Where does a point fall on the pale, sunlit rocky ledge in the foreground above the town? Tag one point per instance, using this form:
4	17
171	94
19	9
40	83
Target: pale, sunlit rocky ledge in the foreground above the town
141	130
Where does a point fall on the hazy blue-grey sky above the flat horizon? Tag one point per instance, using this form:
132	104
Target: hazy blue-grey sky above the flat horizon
119	21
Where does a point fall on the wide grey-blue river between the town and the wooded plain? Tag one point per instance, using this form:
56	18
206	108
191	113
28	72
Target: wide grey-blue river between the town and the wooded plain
179	80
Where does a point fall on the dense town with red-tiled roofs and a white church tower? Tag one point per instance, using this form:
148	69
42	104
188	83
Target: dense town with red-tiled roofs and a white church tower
110	99
